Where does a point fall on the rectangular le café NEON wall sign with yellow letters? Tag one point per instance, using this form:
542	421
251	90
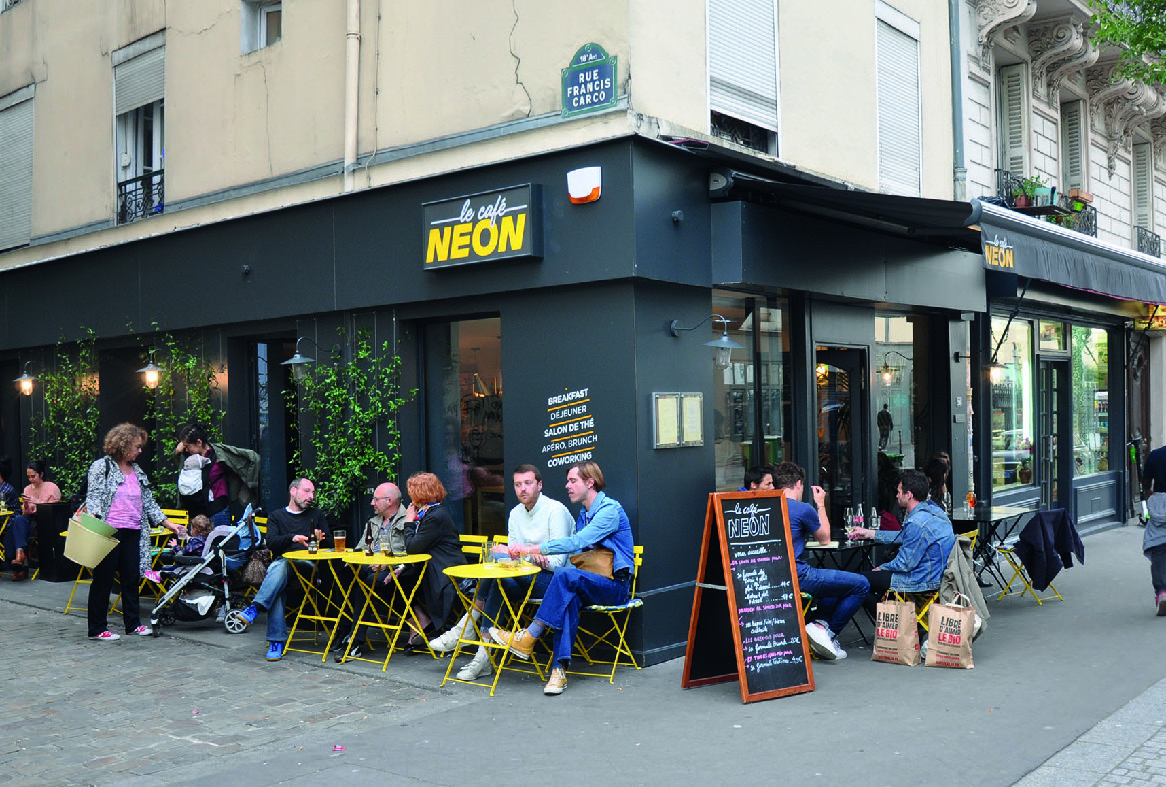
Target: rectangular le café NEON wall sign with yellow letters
481	228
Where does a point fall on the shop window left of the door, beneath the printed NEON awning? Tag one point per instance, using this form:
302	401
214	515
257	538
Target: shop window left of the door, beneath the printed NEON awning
1013	409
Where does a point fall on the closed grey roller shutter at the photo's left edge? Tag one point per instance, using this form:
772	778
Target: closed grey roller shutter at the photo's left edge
17	174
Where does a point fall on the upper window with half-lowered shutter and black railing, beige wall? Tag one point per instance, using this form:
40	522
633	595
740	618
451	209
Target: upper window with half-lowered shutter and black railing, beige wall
139	88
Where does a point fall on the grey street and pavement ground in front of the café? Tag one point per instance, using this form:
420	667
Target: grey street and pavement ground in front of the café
1070	693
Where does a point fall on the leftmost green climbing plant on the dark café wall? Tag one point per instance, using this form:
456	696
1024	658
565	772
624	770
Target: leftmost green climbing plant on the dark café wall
66	432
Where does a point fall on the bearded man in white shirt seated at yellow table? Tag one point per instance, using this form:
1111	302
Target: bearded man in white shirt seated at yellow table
536	519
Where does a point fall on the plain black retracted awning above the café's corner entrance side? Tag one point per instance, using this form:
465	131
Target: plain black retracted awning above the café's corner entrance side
940	221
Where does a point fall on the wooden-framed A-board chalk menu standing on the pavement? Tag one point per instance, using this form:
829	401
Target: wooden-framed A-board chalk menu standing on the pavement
755	633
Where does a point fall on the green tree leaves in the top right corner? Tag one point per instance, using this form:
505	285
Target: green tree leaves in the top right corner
1139	29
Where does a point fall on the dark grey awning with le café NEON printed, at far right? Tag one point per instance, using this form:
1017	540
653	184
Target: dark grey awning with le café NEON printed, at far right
1038	250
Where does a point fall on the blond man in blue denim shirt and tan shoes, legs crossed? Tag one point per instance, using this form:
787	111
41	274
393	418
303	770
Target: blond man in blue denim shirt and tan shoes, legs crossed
602	524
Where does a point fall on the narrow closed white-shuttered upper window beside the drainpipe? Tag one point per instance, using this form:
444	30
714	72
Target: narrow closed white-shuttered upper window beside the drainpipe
900	122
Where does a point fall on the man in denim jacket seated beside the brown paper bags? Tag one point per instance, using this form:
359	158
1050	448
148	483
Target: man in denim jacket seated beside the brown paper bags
925	540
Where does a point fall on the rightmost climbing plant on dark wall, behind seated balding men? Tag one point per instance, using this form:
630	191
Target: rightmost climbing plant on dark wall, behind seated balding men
348	402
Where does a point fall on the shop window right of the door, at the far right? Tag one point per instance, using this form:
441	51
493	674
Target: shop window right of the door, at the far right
1091	400
